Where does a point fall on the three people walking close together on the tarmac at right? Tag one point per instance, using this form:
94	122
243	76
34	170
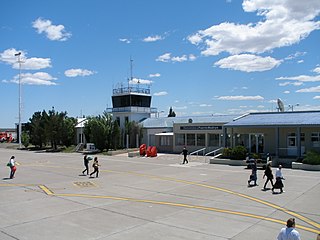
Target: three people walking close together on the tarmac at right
269	175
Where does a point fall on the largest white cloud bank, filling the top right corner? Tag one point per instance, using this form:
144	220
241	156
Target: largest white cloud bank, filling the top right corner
295	18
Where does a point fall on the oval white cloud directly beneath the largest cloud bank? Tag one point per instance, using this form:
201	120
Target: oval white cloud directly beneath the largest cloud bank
248	63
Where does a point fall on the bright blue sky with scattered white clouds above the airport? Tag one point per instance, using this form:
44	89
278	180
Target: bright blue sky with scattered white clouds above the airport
200	57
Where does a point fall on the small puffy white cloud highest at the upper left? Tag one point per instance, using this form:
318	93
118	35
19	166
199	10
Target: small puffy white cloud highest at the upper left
53	32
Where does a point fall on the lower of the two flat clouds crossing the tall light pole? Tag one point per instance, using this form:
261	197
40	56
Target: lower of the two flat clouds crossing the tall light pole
39	78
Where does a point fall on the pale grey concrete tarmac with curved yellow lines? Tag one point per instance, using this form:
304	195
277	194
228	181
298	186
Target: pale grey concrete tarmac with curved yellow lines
148	199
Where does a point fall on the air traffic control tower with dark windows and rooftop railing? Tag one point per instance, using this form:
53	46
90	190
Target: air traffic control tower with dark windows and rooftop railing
131	103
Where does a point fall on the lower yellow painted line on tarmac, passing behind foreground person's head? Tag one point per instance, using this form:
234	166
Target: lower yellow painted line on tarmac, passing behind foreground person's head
190	207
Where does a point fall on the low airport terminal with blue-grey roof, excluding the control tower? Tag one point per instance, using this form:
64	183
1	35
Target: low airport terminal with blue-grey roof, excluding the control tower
282	134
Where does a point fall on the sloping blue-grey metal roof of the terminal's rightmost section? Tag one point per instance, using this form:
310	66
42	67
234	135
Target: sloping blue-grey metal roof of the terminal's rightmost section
301	118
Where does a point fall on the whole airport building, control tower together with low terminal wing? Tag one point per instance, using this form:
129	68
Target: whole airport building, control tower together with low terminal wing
282	134
